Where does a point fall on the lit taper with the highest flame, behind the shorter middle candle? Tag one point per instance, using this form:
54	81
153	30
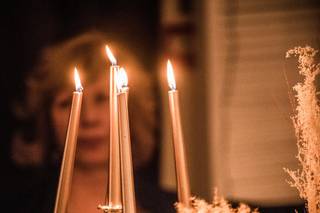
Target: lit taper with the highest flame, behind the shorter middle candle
114	157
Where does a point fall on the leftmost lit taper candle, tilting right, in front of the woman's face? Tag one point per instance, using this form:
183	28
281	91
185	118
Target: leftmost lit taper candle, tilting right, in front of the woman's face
69	149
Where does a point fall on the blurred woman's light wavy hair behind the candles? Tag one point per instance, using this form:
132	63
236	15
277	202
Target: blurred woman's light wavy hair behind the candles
54	72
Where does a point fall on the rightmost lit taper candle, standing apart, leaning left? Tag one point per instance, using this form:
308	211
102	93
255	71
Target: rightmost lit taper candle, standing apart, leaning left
183	187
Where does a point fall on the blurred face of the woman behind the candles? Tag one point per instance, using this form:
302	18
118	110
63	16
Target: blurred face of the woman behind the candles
93	134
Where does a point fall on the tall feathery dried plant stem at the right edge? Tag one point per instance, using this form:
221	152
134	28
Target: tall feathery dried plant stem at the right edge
307	128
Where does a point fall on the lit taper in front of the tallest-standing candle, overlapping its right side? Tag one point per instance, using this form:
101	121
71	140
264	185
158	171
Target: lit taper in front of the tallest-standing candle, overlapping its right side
128	194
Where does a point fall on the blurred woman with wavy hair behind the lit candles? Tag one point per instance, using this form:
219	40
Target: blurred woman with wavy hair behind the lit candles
47	105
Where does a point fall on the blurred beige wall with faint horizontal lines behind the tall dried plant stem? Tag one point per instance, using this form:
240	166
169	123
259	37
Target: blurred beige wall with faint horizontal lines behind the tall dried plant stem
250	132
